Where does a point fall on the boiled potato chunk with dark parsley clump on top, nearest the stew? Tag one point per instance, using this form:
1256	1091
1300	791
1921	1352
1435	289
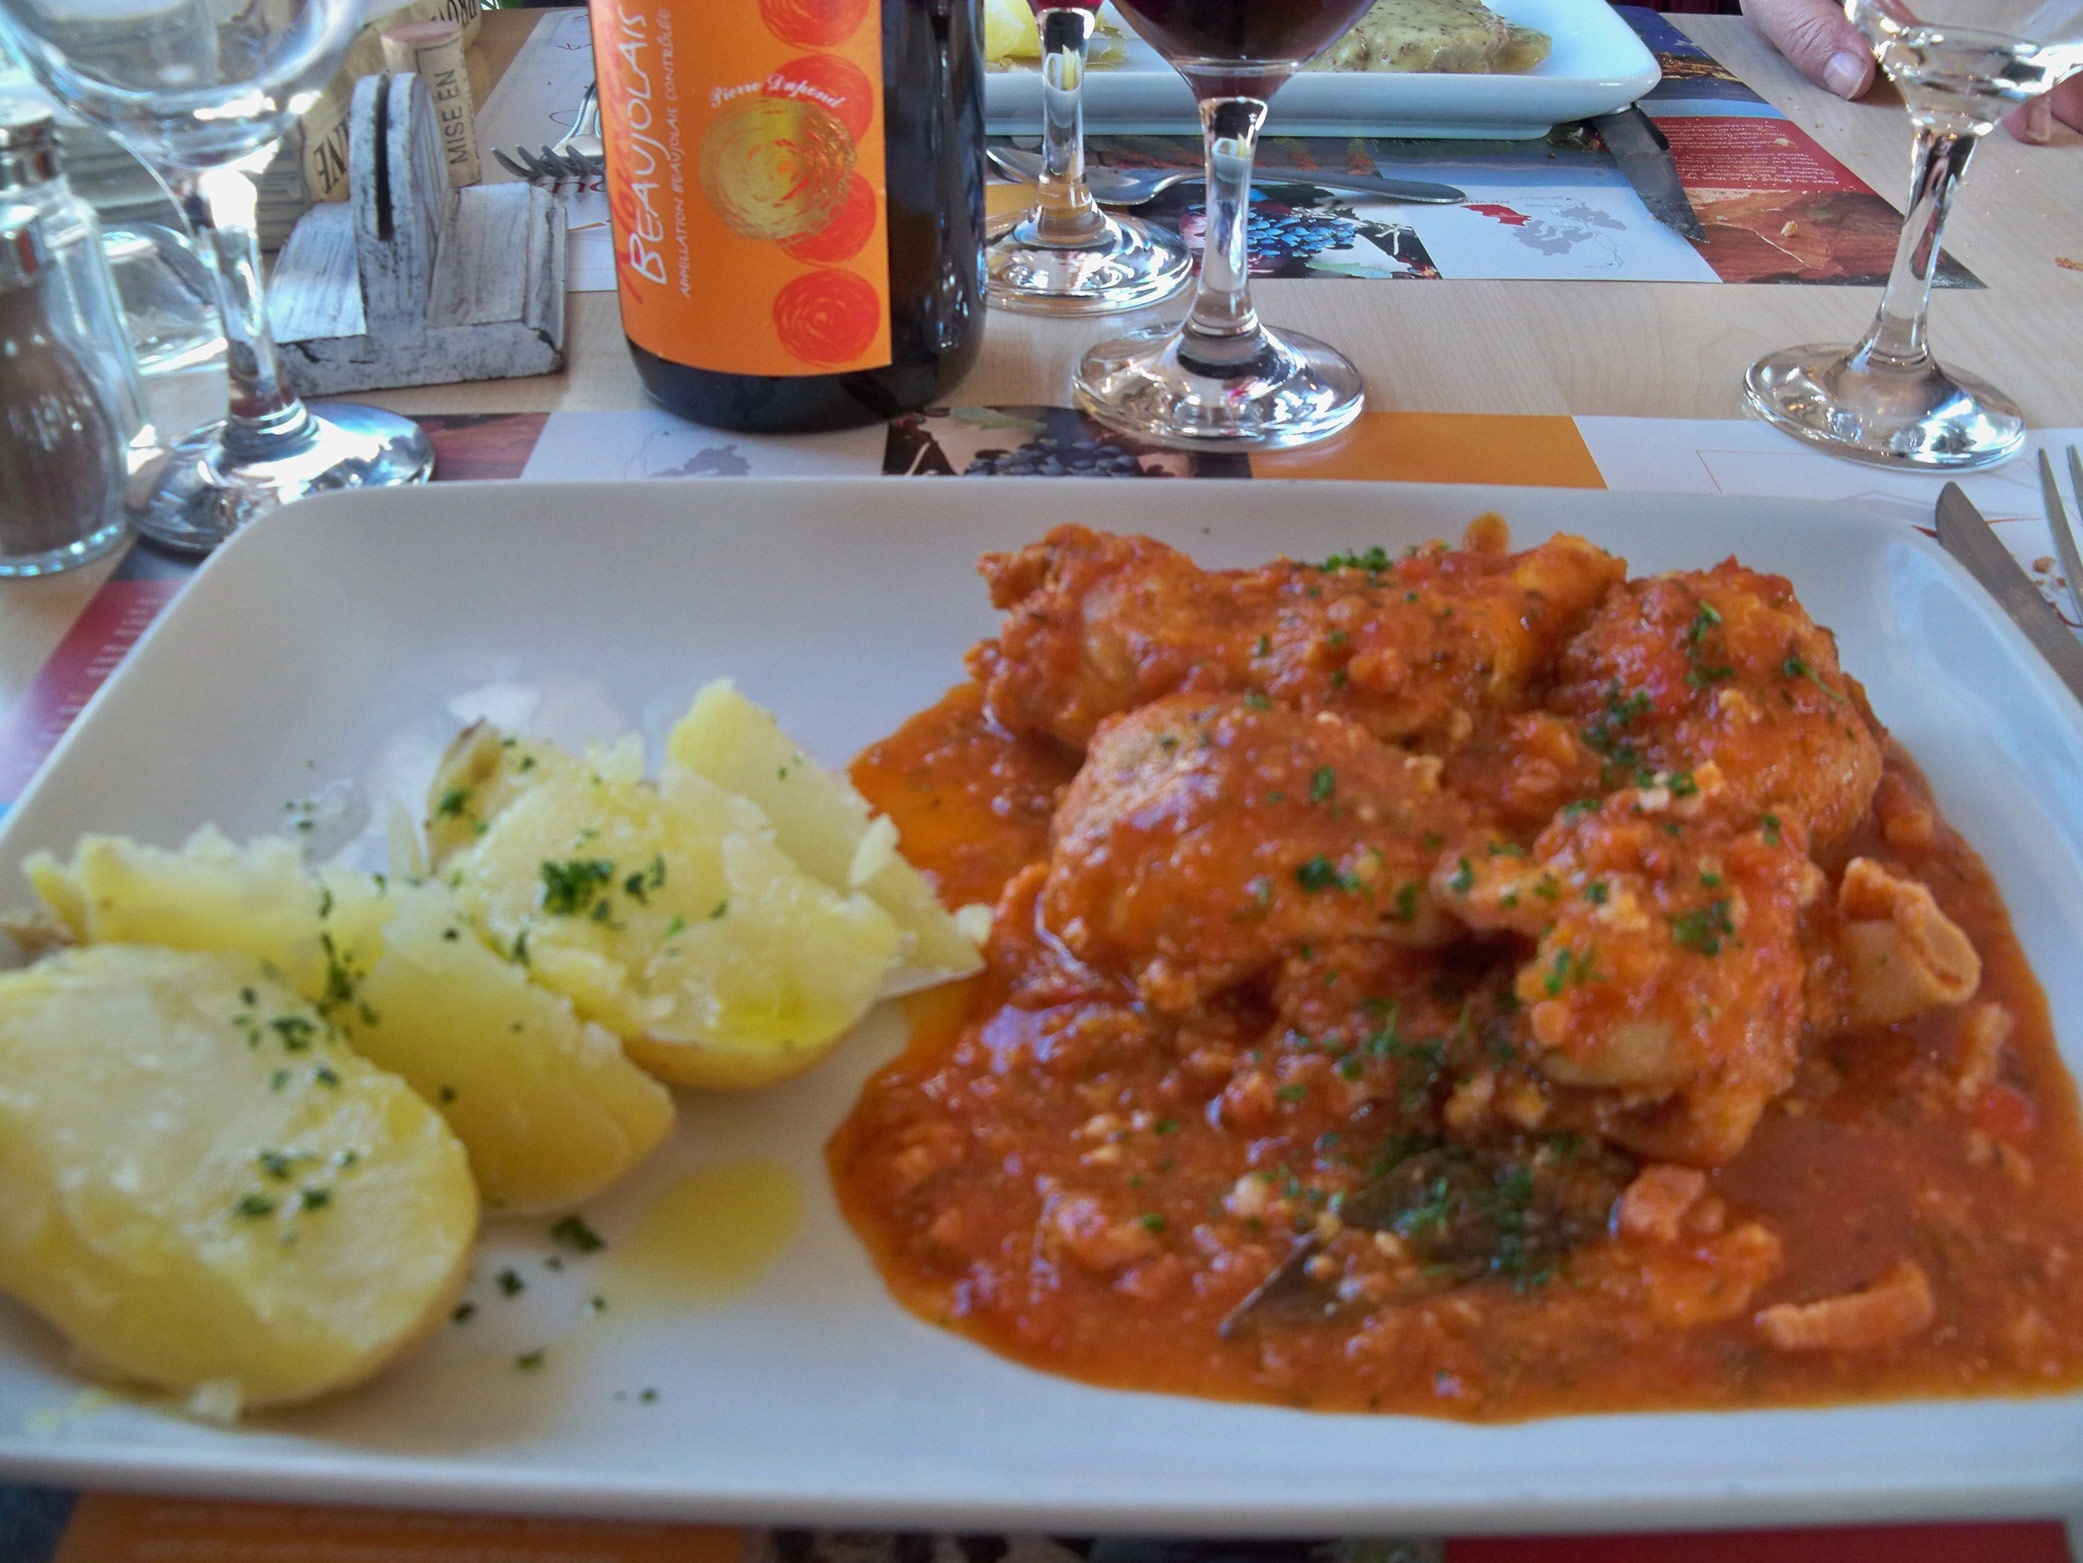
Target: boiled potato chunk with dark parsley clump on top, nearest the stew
682	928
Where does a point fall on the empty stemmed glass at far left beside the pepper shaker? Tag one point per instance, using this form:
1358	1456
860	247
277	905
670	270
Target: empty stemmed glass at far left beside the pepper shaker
203	91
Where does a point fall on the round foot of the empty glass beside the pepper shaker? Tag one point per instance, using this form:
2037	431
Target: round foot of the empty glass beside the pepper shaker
201	497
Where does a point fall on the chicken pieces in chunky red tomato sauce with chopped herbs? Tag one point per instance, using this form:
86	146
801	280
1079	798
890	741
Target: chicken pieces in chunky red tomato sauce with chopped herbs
1465	983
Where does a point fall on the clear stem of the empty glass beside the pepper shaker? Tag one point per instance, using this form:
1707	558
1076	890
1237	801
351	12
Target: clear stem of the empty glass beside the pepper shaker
263	414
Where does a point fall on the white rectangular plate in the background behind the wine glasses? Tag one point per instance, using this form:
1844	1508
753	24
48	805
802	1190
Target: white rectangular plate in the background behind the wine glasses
1597	66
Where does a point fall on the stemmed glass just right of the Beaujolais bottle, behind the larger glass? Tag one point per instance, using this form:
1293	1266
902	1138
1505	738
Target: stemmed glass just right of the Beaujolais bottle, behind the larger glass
1065	255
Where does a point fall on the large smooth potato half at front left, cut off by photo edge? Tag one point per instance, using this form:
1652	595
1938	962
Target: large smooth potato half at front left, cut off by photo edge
203	1187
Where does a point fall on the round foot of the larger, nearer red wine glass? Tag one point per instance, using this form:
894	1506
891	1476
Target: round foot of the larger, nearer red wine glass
1288	393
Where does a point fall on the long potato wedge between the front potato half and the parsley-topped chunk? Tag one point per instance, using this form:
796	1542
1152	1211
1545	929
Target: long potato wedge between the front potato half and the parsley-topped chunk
549	1108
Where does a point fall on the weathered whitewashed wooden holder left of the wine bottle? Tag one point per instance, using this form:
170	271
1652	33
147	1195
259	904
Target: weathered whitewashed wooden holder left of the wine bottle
409	282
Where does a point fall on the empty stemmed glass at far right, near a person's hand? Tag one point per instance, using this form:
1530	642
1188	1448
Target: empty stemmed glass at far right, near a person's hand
1886	399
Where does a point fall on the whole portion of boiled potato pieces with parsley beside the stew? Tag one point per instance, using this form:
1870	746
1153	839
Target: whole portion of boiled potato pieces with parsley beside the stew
207	1176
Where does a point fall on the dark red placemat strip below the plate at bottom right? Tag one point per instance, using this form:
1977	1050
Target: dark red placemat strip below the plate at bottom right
2042	1541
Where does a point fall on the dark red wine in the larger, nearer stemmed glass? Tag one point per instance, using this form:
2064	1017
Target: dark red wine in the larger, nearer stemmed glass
1240	49
